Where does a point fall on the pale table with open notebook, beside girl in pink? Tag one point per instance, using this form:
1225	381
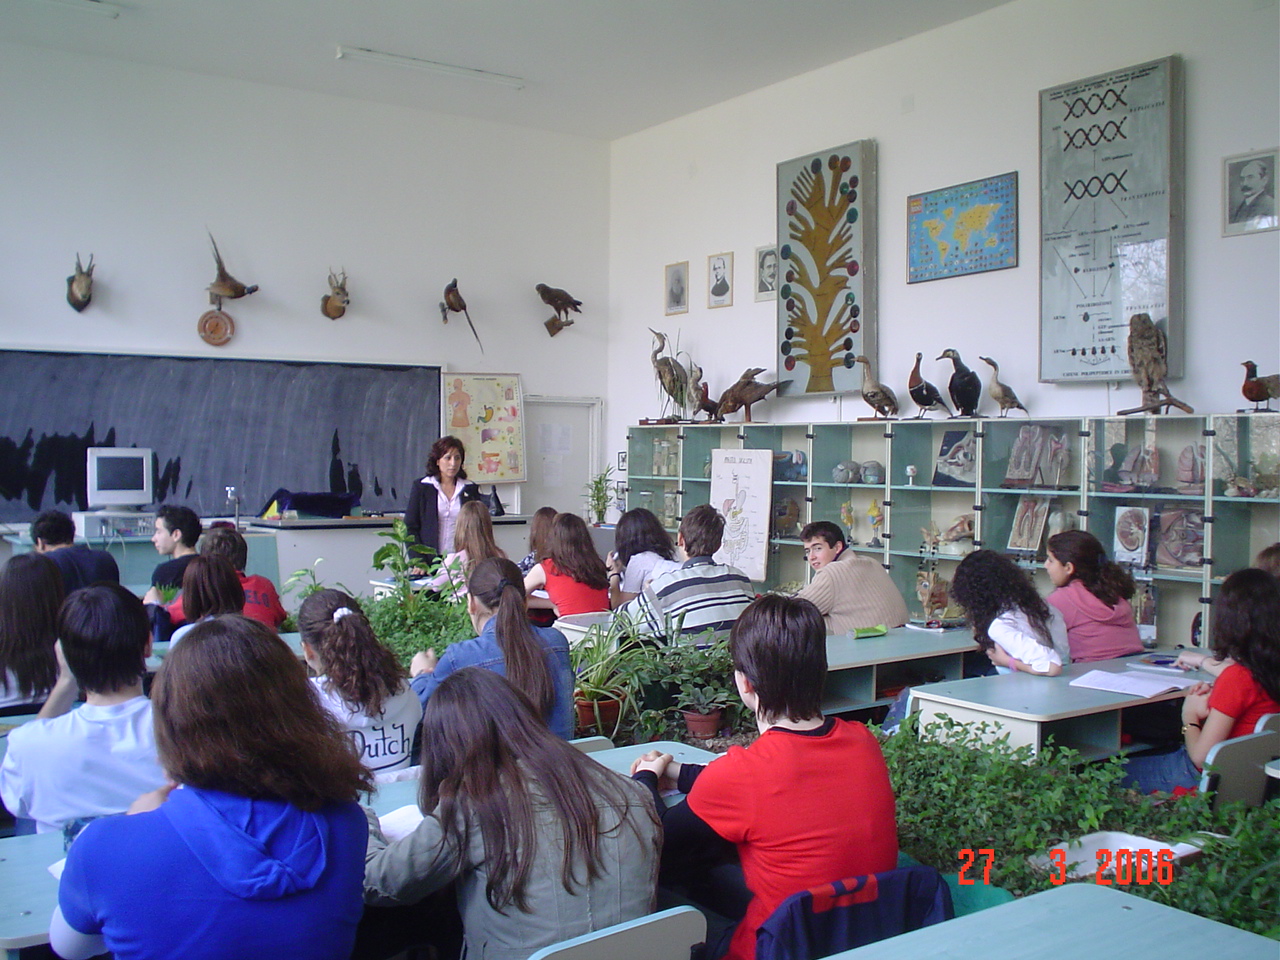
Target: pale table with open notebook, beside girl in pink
1031	710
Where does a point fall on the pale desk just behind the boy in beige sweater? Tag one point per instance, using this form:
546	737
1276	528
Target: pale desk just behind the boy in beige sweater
860	671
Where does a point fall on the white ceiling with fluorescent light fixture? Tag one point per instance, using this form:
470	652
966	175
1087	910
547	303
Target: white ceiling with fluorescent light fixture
597	68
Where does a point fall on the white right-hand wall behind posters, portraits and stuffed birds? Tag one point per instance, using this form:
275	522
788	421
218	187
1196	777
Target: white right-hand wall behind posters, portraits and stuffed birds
948	107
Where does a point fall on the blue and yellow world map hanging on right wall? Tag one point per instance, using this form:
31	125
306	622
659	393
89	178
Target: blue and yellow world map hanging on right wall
966	230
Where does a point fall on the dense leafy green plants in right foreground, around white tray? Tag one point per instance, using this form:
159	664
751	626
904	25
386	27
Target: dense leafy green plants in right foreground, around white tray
957	792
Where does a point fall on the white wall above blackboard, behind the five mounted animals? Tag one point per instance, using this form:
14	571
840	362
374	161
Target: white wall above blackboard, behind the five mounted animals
132	163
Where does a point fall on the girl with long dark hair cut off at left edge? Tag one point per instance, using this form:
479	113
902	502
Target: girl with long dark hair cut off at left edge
31	593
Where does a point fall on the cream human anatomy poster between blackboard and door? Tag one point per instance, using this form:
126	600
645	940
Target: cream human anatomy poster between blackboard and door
487	413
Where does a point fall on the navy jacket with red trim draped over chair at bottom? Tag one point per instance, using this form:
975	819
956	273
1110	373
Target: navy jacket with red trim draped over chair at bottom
852	913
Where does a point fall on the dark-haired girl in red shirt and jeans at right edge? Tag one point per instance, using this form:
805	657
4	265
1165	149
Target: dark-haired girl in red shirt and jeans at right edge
1247	630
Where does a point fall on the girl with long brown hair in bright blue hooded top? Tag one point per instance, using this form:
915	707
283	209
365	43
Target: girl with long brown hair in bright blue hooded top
259	851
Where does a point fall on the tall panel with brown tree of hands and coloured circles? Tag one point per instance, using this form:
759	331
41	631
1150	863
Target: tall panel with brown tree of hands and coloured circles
828	252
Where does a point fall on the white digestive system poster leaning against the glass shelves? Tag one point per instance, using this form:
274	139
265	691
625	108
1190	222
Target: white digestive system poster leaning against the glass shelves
742	482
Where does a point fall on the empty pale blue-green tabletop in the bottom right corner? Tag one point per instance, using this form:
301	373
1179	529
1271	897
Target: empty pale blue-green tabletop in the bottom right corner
1073	922
